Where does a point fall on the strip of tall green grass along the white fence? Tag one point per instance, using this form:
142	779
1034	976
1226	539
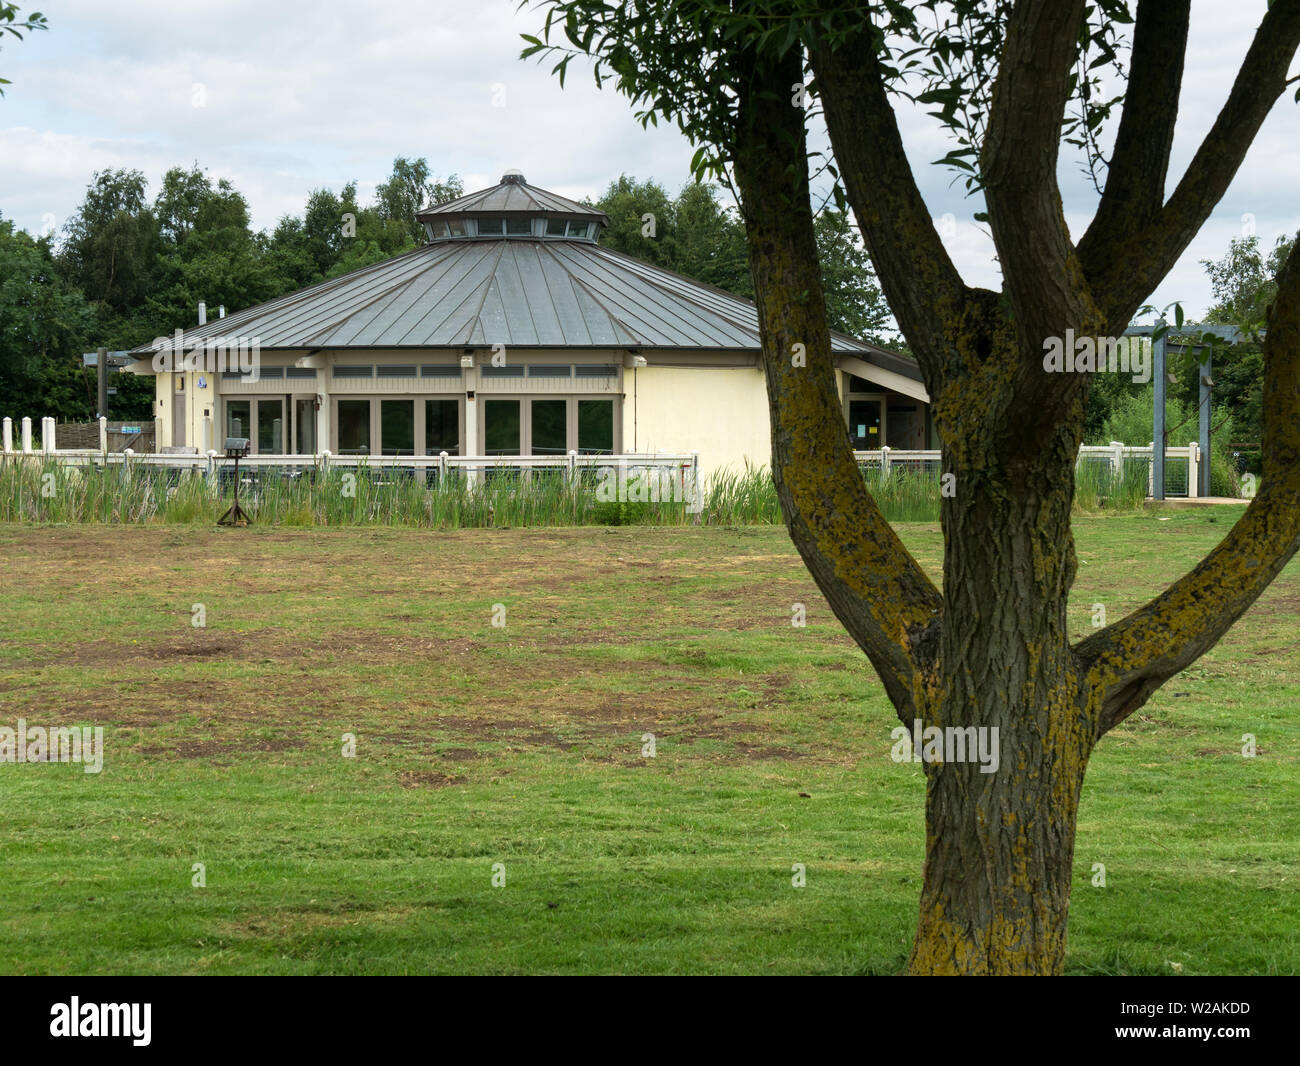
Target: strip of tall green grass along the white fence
34	491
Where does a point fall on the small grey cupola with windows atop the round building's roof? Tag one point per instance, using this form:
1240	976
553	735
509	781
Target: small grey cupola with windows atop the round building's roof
513	210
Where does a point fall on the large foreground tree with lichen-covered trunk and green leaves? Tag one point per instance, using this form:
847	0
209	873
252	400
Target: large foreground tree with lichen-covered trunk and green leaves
1008	84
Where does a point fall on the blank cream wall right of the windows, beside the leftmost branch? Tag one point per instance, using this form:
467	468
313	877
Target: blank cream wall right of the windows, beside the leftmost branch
720	413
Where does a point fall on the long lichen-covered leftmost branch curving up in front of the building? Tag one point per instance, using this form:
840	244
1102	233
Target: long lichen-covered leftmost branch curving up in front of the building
874	586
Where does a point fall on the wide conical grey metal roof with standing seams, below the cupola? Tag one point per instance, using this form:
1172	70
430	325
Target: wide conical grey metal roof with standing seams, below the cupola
530	293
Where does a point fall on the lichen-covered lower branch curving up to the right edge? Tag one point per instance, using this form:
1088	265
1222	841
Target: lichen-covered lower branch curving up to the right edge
1129	661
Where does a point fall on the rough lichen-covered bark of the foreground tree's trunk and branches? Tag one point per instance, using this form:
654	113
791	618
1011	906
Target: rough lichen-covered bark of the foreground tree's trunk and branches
993	651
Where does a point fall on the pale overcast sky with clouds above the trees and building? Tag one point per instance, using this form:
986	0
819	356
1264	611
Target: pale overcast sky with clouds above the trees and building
287	98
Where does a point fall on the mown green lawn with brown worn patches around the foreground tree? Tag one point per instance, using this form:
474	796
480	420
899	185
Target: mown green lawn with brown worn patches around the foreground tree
523	746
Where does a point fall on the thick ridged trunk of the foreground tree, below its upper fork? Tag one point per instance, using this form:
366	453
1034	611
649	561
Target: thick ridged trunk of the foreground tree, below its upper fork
1000	842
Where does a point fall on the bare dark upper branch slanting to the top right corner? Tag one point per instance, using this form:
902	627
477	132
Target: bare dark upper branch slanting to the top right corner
1124	275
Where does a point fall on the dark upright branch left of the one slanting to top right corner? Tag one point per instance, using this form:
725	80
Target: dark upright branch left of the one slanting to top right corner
1139	164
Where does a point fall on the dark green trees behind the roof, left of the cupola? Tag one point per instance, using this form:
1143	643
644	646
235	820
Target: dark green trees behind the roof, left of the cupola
129	270
